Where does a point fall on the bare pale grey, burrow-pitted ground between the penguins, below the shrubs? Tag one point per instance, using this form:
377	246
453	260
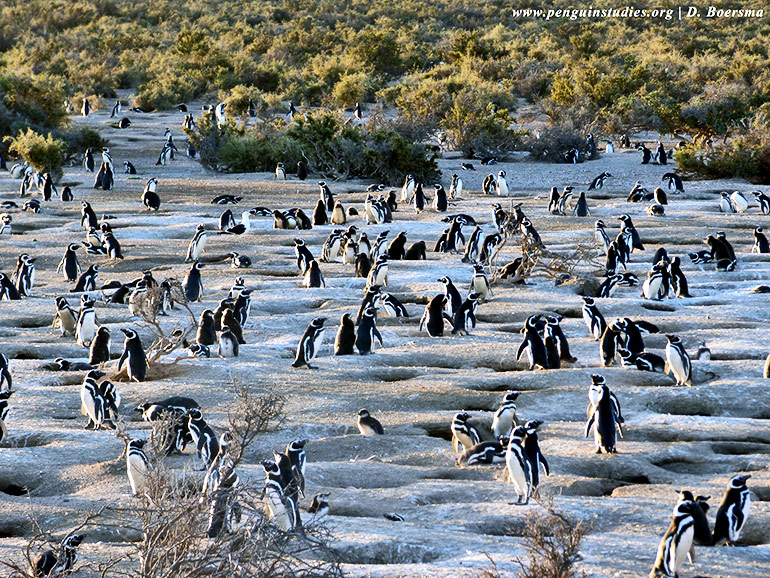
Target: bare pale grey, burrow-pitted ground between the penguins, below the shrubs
675	437
